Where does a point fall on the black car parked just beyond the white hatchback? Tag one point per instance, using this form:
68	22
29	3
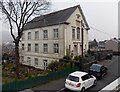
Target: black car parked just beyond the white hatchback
99	71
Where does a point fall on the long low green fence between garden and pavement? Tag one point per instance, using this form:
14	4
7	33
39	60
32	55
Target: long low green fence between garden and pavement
19	85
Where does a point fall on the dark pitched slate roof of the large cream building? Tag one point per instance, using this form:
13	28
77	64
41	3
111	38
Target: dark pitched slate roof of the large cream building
58	17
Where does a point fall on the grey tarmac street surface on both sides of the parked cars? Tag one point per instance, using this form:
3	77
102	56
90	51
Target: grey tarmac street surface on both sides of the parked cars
113	74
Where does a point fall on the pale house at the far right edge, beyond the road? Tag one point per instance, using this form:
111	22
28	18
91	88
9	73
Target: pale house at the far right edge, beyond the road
113	44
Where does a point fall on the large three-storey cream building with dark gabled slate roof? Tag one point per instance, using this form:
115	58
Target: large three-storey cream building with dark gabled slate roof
48	37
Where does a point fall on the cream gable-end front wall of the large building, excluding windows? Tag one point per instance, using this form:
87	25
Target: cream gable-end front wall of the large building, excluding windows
73	24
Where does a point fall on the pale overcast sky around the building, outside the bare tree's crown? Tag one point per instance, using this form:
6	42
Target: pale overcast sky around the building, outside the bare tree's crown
102	17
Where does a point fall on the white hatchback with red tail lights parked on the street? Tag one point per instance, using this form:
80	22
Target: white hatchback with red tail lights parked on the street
79	81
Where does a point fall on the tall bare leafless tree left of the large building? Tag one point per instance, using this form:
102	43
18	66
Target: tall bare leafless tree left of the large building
18	13
